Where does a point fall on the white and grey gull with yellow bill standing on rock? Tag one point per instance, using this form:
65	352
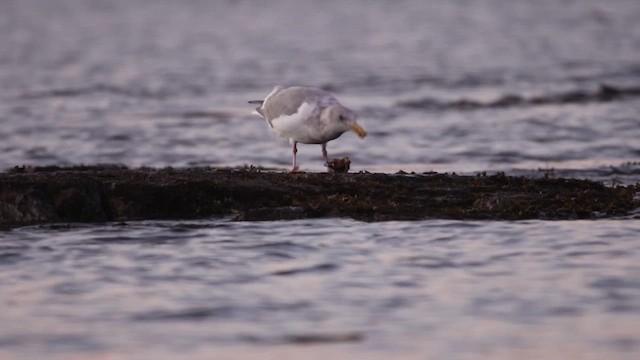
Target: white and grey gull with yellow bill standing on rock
306	115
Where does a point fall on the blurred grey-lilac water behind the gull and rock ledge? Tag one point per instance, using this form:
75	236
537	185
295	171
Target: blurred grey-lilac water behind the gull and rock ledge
161	83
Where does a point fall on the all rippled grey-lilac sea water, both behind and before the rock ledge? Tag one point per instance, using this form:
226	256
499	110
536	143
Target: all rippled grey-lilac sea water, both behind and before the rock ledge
518	86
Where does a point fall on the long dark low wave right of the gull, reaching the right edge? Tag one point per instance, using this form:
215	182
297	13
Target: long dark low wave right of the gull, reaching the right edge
605	93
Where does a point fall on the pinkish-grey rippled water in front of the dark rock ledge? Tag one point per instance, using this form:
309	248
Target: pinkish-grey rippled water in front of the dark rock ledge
438	288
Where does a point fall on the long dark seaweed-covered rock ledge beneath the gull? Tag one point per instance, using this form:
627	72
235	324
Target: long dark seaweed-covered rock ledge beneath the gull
110	193
